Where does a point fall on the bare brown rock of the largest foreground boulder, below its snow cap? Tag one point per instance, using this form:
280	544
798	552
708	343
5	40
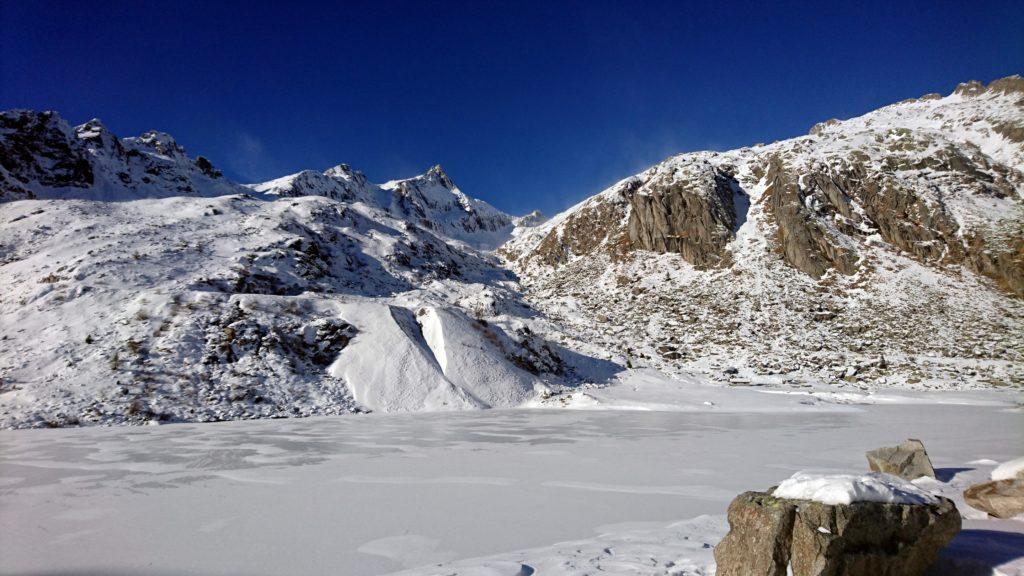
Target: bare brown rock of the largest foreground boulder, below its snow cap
770	536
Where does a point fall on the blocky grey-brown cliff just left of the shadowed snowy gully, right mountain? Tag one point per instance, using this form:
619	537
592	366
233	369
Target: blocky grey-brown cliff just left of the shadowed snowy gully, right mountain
689	214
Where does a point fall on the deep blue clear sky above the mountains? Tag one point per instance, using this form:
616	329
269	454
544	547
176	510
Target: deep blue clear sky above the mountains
527	105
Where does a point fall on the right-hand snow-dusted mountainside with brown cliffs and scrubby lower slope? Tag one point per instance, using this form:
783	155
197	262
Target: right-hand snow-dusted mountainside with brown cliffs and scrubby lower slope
882	250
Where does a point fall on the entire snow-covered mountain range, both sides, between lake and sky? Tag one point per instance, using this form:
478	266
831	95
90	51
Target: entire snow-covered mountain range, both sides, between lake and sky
143	285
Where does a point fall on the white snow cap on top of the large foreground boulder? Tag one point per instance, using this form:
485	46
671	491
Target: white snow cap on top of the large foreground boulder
846	489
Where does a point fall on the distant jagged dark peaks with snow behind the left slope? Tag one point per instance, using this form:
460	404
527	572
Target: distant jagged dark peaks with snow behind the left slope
44	157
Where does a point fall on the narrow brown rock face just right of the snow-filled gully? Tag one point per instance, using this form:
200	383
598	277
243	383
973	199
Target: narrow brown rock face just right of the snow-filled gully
806	242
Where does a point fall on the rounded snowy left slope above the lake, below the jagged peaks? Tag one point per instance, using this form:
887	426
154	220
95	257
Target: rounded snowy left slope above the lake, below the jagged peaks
235	307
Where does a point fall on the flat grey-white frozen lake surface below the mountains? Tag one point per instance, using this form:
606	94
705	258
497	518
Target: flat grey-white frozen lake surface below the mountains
376	495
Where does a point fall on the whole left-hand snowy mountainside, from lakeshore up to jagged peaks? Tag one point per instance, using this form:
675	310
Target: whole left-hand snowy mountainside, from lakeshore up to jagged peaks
141	285
